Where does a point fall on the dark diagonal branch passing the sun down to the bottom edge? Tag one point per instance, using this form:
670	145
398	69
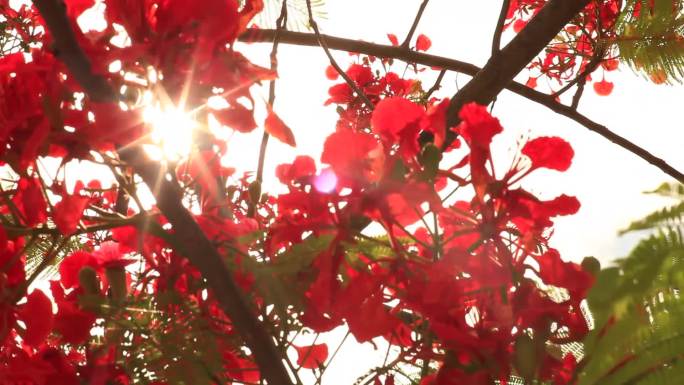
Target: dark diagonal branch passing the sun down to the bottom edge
197	248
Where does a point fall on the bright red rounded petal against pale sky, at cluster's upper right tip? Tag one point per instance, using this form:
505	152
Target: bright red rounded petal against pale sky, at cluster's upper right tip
549	152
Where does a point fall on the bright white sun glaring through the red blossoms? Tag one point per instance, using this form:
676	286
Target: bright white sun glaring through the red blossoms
172	132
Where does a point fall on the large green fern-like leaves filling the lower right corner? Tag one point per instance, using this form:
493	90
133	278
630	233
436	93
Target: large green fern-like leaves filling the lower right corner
638	310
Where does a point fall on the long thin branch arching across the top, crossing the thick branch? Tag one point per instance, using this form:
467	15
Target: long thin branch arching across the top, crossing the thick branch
379	50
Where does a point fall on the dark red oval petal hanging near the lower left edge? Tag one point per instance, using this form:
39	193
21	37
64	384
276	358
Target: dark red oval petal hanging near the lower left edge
37	315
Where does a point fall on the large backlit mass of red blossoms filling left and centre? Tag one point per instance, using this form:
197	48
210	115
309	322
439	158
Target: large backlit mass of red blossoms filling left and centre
461	280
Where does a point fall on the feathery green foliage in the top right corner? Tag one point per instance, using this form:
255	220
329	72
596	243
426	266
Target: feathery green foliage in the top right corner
651	40
